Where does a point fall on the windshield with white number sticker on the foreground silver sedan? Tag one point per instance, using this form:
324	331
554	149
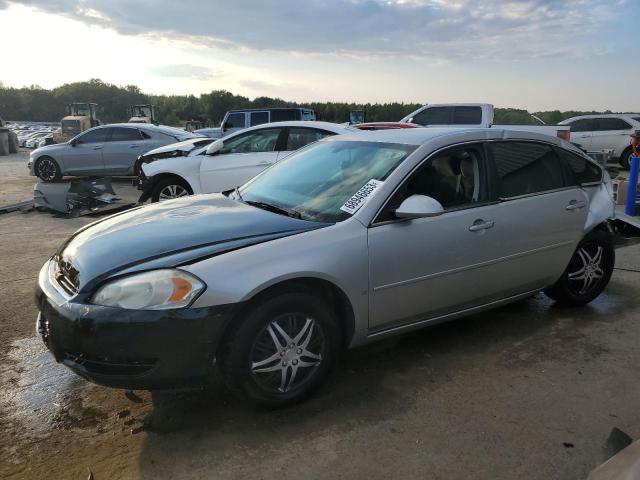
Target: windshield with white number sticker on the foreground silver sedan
316	182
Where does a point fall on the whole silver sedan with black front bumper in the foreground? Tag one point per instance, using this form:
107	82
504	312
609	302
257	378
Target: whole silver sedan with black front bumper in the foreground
347	241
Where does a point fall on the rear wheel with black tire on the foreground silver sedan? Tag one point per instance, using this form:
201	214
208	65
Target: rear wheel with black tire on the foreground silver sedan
588	272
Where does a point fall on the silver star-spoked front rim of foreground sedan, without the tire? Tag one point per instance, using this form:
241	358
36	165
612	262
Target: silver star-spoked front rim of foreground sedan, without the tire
287	352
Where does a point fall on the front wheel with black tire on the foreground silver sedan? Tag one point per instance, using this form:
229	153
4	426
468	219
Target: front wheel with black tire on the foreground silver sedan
281	350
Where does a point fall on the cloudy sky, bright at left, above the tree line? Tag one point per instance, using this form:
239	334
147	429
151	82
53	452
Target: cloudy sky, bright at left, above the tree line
533	54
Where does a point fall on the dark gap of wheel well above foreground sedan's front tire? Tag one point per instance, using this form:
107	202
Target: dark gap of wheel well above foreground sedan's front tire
324	289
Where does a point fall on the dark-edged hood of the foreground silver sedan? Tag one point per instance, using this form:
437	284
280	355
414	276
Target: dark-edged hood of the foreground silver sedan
170	234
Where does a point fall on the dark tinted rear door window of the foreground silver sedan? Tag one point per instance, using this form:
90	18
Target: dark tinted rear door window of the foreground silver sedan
523	168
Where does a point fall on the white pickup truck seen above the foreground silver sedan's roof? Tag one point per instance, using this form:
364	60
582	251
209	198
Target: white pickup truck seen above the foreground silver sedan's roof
475	115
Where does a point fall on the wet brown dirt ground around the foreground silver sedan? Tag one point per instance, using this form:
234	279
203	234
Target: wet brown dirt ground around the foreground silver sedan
528	391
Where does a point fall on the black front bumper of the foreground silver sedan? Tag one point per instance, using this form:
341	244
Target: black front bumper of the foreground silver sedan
132	349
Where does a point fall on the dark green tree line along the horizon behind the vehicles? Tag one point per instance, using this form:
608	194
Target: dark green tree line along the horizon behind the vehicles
35	103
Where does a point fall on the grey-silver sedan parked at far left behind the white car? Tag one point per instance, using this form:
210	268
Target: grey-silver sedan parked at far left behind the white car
104	150
